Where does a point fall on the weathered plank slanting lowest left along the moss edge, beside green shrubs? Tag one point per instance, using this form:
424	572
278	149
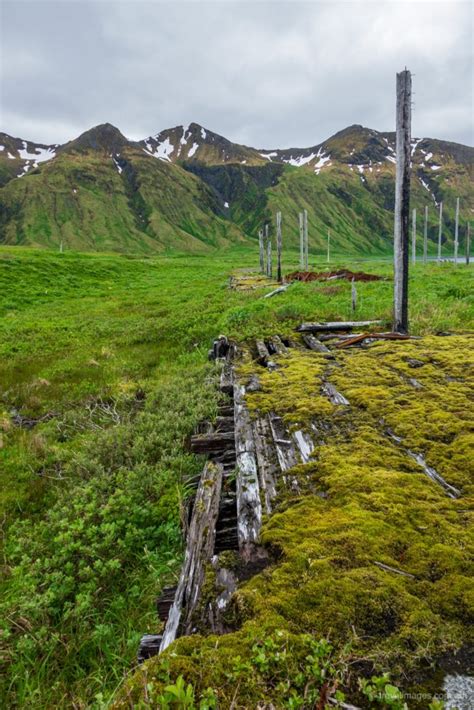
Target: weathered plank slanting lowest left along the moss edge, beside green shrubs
199	550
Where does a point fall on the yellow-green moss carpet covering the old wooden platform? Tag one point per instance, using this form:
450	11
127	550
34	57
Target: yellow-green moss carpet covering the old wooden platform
373	574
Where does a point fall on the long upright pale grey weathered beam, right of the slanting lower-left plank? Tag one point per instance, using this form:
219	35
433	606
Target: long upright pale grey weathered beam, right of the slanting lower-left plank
249	507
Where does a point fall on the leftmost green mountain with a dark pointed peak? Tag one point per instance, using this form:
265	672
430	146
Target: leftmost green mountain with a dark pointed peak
102	192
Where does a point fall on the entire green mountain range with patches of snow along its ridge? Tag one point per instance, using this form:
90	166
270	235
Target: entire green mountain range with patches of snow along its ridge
190	188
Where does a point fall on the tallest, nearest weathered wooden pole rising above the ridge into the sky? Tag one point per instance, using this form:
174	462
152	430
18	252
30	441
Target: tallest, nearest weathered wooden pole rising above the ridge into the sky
402	203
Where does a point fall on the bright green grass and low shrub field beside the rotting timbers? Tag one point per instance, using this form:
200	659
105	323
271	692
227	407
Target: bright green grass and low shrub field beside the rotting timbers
103	360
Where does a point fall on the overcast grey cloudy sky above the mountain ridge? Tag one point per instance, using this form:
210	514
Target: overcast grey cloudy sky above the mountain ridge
267	74
